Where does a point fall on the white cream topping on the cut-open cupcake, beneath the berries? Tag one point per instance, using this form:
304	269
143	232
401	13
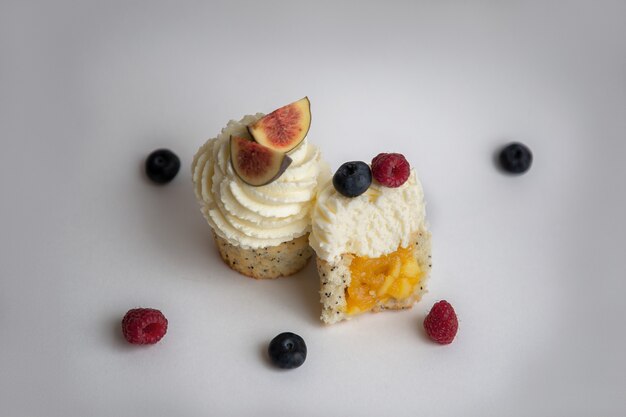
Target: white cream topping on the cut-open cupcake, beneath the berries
372	224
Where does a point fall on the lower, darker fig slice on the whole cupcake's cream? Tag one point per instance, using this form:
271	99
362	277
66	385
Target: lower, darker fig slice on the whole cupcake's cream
256	164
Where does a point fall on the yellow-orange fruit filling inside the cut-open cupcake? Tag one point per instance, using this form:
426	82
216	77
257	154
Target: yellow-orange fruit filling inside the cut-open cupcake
380	279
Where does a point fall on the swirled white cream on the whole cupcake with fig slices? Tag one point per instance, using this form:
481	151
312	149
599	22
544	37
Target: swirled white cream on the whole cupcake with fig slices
255	217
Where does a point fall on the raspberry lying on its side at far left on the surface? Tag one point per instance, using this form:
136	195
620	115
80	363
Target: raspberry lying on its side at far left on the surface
144	326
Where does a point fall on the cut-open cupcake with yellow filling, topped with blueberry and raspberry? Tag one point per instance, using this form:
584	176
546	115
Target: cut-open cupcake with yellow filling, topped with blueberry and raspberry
371	239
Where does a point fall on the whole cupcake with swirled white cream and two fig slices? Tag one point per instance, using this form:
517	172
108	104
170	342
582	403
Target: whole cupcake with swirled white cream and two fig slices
259	209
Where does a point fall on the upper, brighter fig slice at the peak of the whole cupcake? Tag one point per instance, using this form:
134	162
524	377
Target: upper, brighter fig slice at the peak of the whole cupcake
283	129
